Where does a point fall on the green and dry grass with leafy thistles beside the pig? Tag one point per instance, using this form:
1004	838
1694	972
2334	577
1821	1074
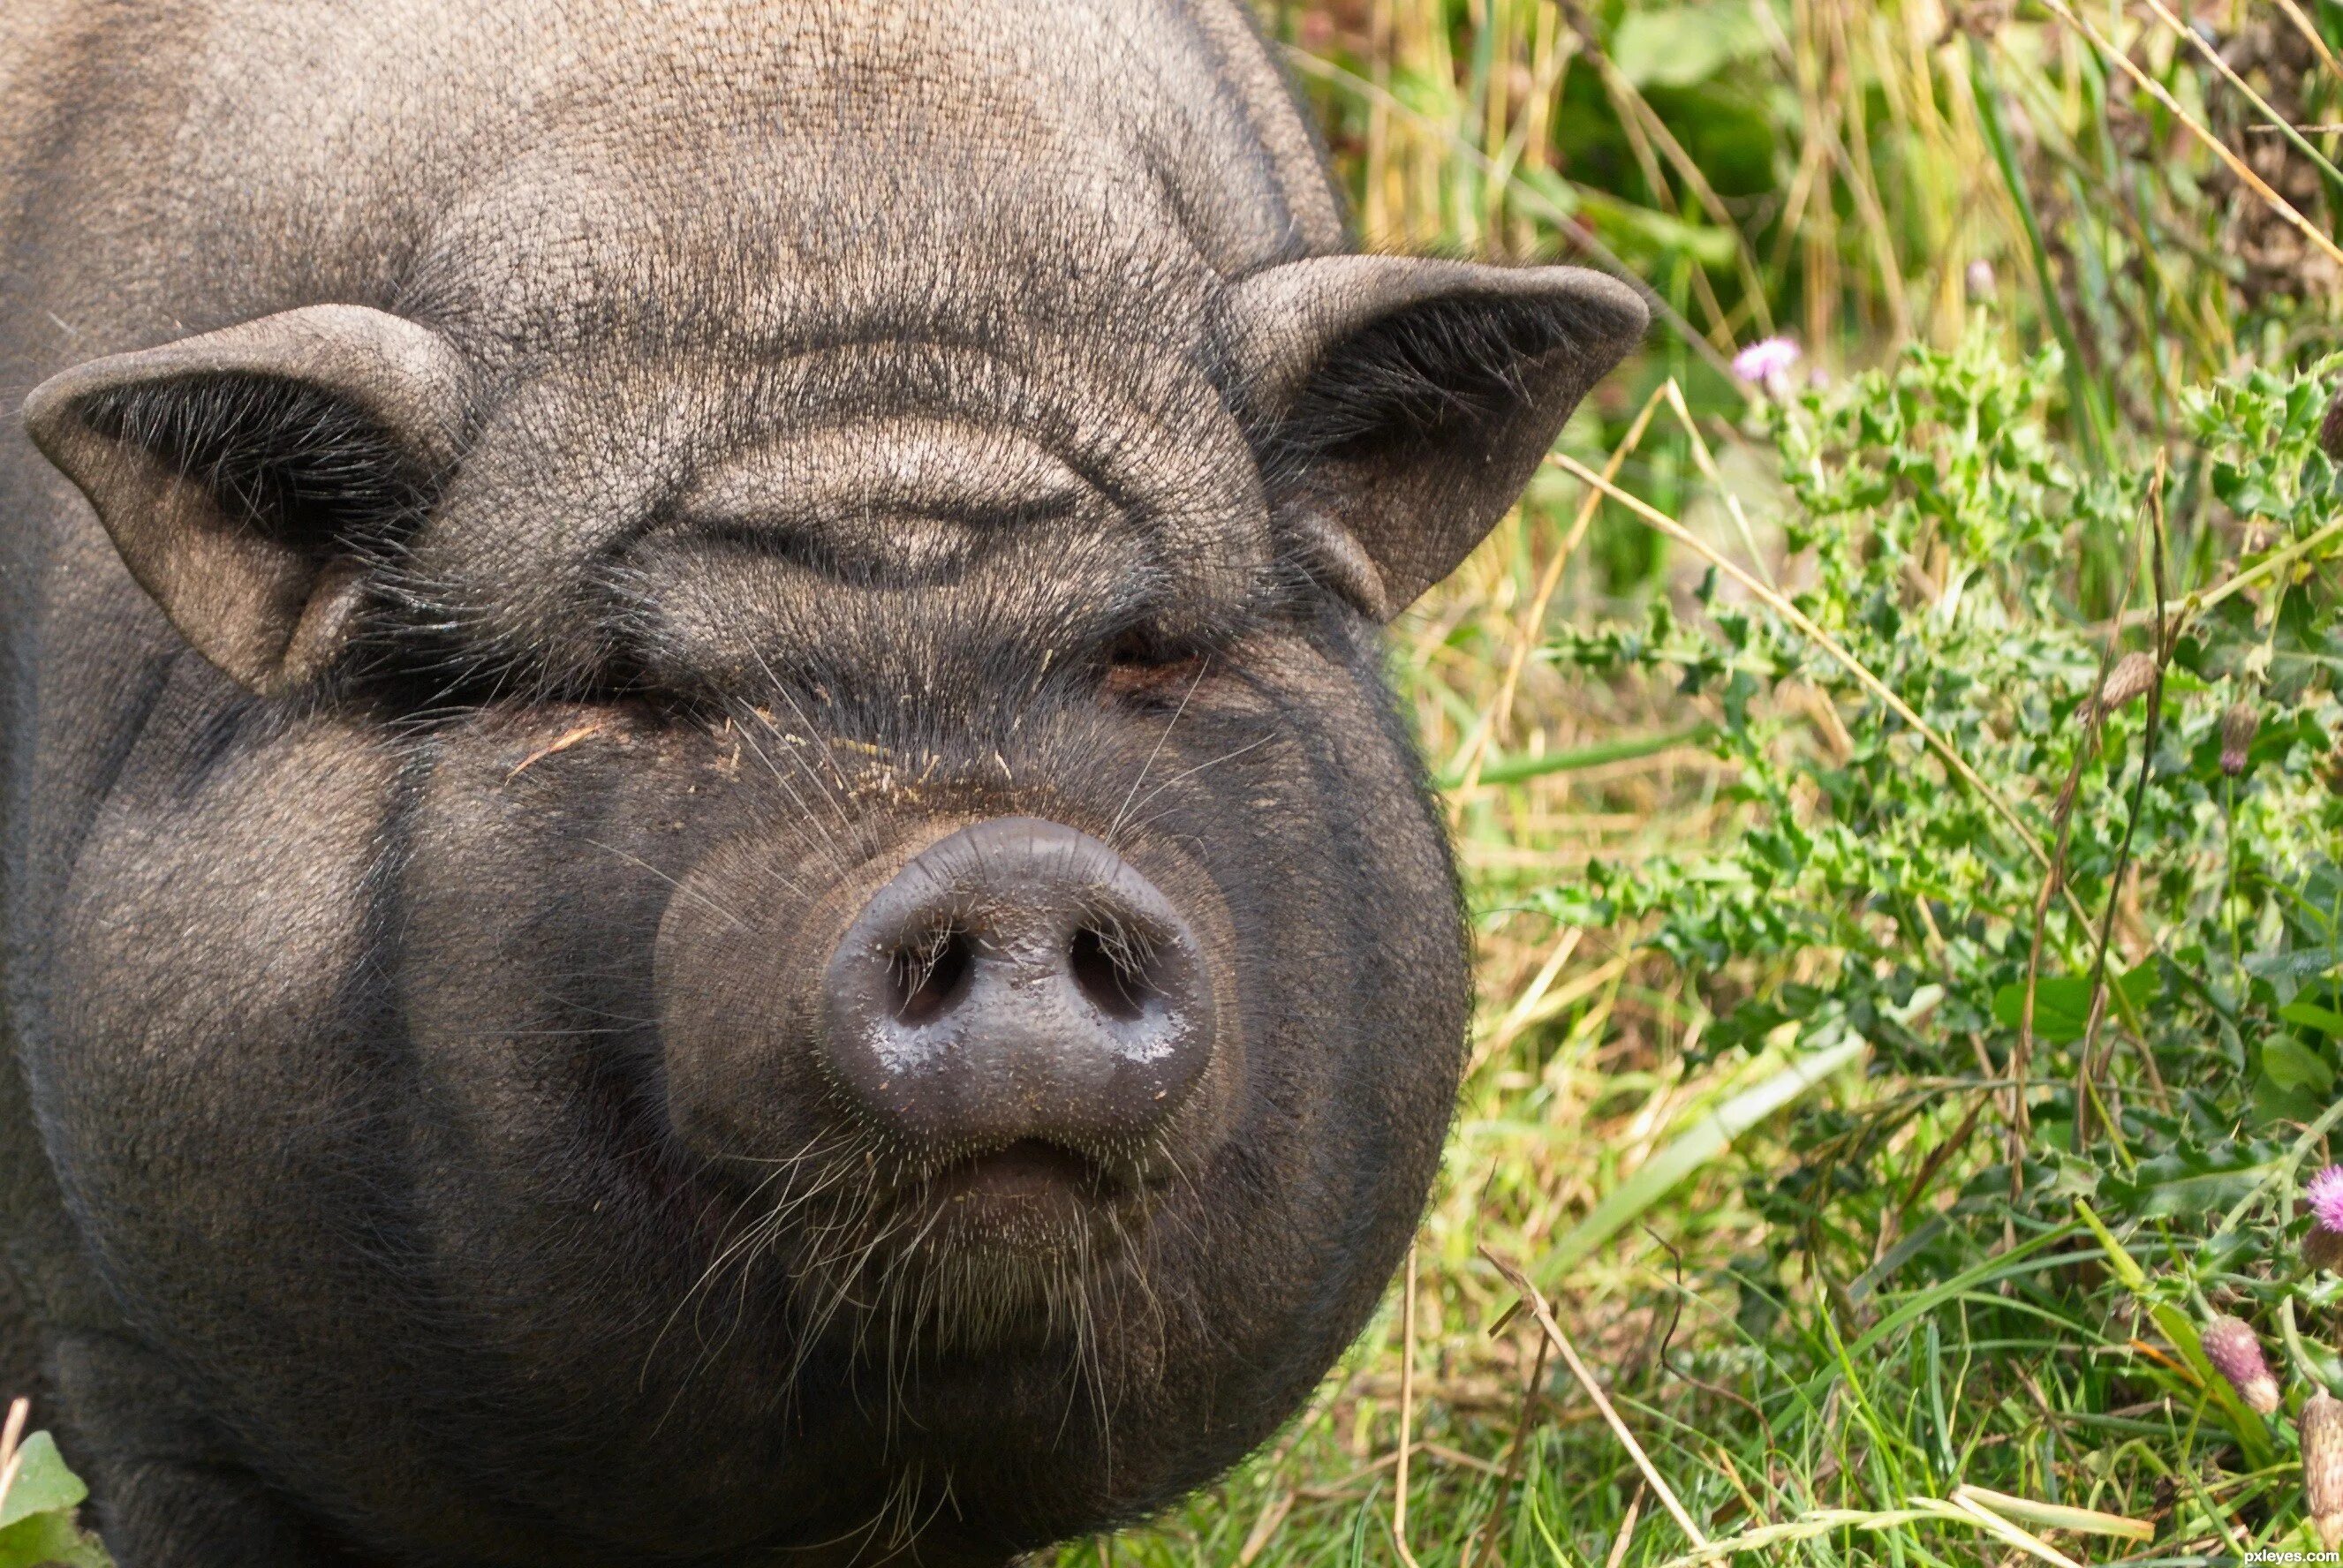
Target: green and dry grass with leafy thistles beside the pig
1873	1197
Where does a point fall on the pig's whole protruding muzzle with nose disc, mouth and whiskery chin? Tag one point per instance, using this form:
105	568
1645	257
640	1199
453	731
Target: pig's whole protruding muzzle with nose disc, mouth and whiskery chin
978	1072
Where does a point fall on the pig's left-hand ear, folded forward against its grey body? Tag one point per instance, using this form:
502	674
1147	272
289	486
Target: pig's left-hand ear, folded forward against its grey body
245	475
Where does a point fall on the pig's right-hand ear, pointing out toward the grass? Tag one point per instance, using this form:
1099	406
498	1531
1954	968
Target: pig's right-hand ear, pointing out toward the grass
1402	404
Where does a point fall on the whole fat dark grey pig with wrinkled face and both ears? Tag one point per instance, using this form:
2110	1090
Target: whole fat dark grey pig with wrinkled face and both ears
704	854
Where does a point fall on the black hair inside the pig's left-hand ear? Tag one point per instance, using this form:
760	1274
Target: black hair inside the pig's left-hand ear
285	458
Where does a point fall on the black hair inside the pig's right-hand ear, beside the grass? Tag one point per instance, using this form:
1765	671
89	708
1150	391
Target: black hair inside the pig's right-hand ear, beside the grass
1421	376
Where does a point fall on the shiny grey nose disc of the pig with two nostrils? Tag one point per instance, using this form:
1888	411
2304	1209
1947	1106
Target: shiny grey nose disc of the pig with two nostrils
1018	983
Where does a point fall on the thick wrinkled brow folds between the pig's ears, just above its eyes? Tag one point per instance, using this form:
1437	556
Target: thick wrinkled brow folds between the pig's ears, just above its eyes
887	507
